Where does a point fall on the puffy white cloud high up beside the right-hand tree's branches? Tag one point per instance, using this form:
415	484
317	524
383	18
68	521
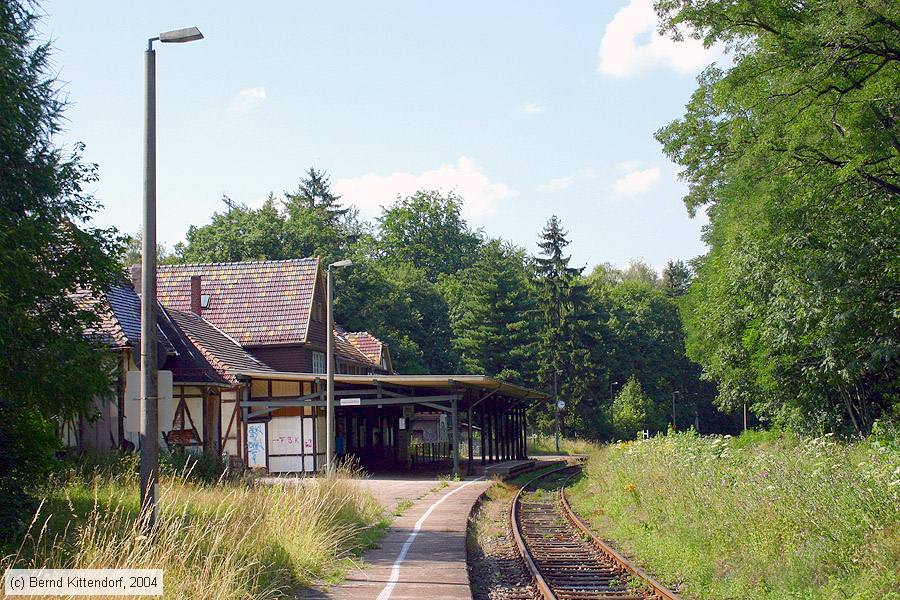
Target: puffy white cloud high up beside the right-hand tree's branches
622	55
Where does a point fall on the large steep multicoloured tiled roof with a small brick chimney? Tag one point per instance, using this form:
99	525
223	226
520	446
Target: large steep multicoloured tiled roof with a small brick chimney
255	303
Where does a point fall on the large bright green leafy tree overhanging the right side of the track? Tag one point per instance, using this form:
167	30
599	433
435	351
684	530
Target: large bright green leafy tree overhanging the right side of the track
794	153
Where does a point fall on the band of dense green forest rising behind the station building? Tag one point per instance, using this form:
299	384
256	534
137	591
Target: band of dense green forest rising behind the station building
448	299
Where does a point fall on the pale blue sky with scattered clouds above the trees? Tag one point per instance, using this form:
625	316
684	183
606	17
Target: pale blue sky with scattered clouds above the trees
527	109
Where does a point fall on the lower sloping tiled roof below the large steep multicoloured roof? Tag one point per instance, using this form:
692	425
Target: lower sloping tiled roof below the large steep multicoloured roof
222	352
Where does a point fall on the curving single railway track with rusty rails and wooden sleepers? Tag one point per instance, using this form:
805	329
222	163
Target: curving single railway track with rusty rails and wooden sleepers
566	560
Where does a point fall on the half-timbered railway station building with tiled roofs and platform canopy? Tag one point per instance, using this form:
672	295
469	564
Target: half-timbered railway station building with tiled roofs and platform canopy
244	344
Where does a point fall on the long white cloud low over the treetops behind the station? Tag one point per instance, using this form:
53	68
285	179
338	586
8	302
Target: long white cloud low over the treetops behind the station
465	177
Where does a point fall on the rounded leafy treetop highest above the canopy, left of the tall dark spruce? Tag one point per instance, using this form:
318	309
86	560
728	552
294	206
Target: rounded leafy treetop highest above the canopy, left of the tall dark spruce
426	230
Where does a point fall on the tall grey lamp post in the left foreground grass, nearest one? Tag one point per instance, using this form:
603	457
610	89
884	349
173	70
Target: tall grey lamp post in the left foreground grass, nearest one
149	369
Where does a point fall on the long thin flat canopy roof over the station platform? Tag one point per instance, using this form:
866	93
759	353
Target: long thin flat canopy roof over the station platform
446	382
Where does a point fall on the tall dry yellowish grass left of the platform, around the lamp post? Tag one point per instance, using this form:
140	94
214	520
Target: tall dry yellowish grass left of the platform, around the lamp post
221	540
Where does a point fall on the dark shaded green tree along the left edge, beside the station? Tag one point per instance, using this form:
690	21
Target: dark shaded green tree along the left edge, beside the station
49	369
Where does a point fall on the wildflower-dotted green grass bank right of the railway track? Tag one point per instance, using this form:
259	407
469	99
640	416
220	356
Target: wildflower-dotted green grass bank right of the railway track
759	516
